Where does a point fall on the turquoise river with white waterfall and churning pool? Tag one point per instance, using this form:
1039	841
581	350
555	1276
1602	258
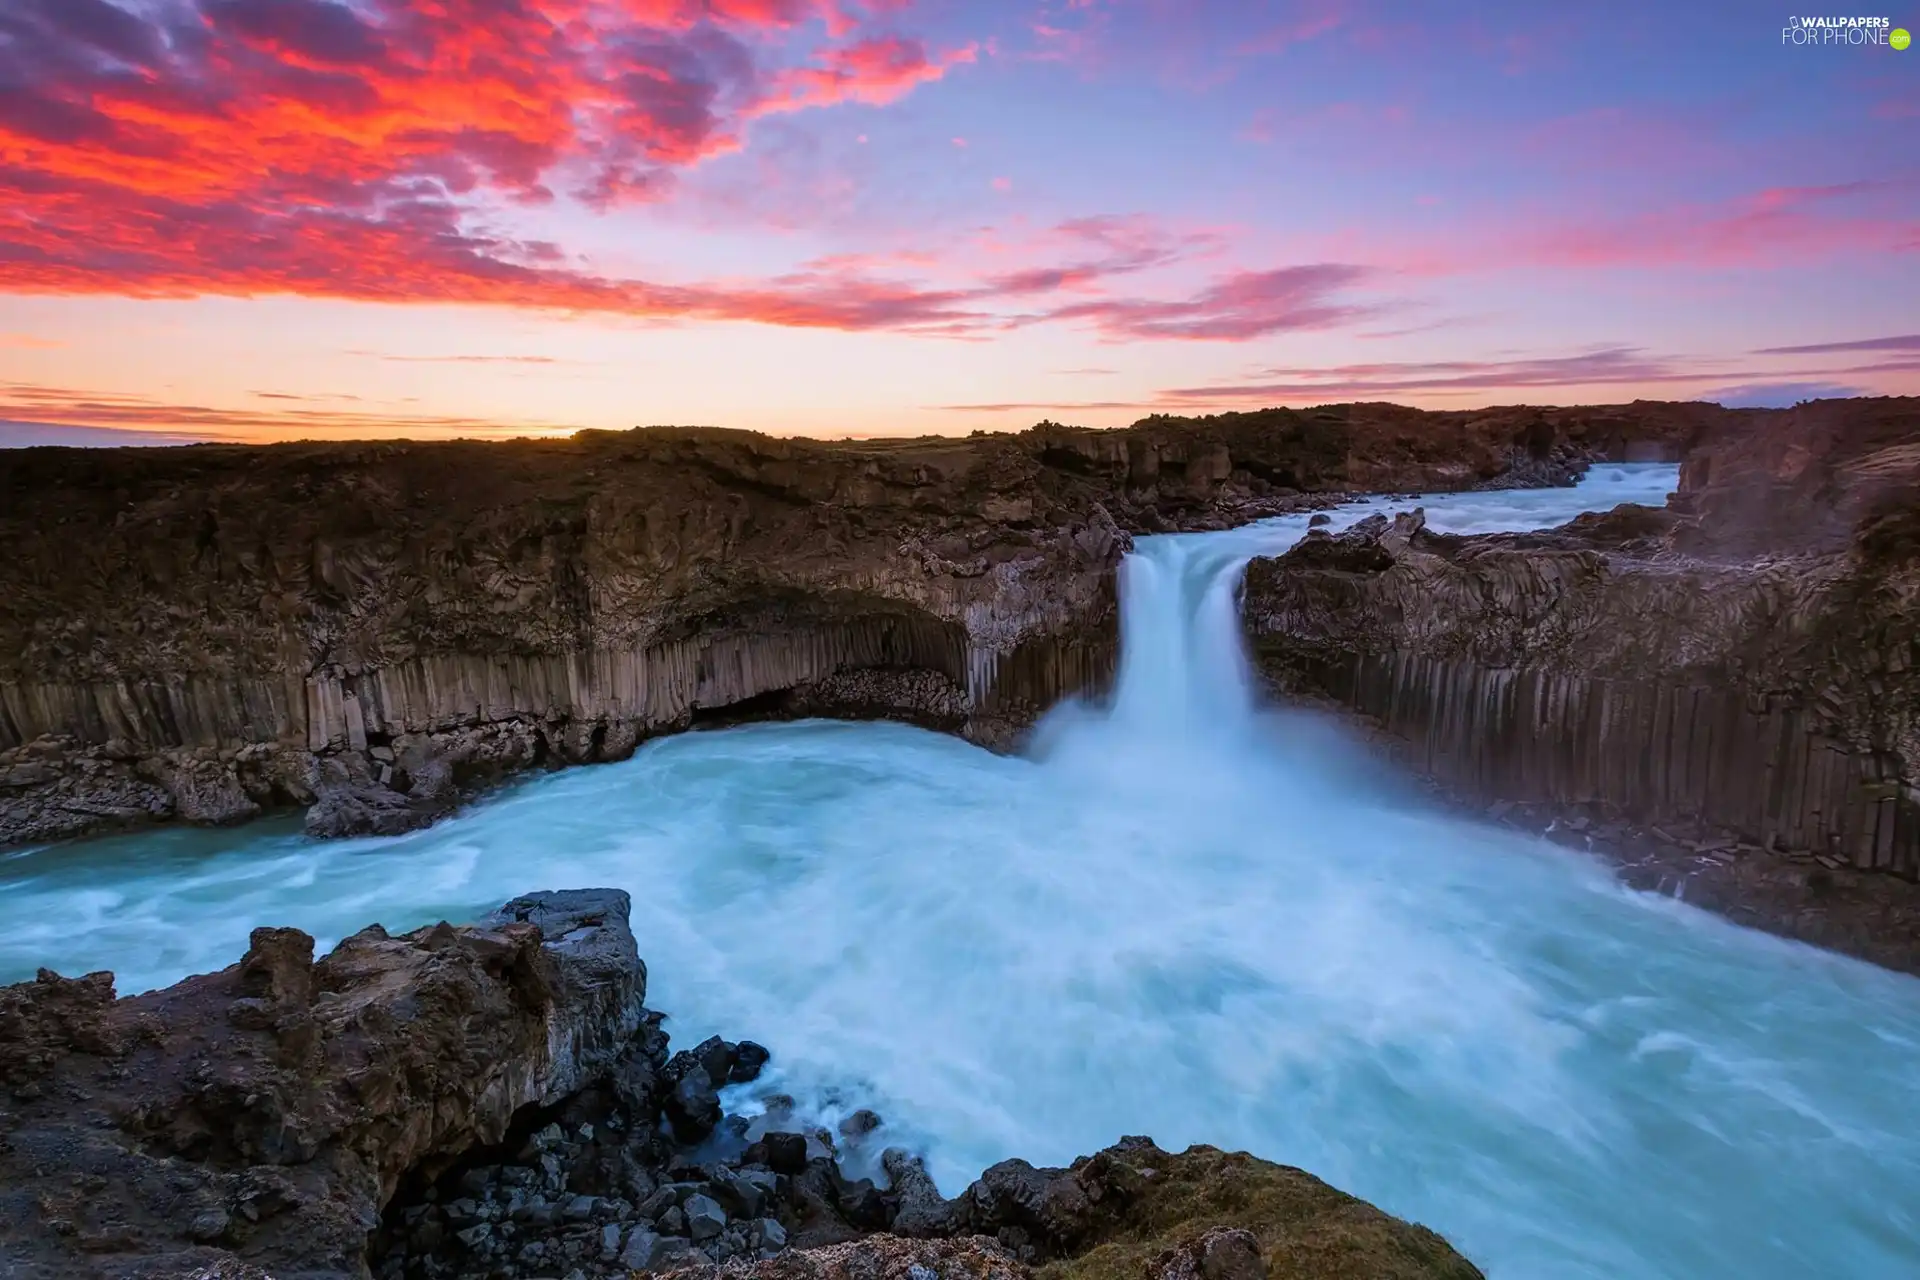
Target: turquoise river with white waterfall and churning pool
1180	914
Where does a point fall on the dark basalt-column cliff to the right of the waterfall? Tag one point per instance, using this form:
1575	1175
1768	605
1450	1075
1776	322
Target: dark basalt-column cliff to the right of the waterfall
1727	686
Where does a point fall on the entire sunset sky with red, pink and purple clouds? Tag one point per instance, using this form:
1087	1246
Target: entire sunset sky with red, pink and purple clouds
276	220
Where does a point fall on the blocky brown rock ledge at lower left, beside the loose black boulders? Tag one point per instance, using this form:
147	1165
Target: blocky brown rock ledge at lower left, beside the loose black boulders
272	1110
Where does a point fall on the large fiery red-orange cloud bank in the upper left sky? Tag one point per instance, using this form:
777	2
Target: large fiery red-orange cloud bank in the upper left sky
254	147
